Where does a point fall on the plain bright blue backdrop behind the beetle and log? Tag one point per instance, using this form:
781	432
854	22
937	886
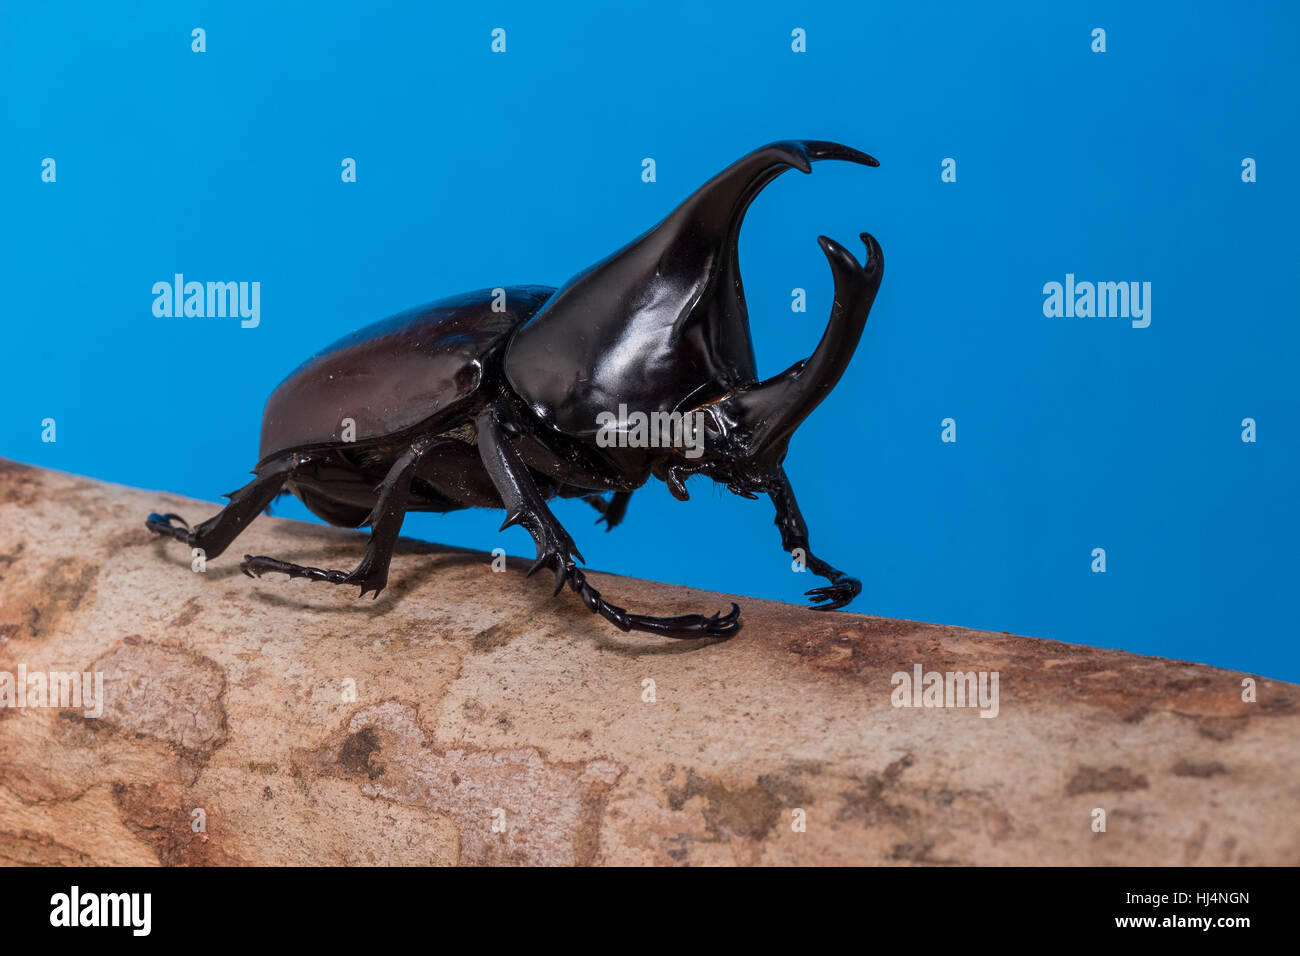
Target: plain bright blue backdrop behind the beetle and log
479	170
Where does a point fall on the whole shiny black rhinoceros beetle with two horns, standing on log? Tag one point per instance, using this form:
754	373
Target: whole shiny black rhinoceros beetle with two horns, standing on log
496	399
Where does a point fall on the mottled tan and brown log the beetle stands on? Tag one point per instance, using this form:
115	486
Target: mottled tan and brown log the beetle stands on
470	717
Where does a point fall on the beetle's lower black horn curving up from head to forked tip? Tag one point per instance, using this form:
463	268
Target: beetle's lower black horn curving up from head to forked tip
779	405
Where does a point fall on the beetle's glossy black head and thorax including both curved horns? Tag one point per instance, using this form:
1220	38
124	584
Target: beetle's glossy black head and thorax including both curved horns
662	325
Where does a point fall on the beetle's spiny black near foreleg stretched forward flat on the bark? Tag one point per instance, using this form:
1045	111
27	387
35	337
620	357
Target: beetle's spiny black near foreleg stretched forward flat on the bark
556	550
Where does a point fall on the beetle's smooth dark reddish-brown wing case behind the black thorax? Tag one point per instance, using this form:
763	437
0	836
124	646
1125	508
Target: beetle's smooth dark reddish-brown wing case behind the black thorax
396	374
